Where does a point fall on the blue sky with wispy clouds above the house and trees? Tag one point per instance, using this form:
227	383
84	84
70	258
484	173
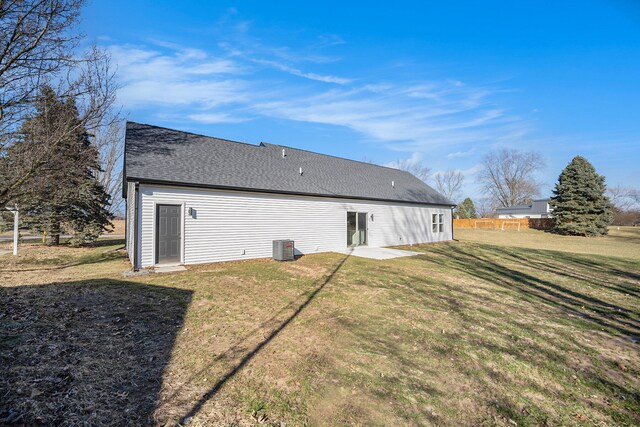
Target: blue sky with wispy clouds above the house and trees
436	82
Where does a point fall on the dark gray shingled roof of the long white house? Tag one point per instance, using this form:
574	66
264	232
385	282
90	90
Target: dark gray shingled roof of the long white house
155	154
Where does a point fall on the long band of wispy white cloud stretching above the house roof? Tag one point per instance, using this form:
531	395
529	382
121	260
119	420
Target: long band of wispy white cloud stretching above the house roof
228	84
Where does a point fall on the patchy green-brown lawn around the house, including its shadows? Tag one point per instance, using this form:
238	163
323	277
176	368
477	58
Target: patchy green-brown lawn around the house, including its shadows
498	328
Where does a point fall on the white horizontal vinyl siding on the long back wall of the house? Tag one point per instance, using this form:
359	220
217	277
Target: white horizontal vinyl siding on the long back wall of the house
233	225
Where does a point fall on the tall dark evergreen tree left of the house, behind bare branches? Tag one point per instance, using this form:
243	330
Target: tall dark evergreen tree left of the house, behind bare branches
68	195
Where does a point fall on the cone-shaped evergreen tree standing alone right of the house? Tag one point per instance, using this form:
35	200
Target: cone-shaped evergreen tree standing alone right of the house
579	204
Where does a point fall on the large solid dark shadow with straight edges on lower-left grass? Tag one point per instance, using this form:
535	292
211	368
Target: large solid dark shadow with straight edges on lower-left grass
86	353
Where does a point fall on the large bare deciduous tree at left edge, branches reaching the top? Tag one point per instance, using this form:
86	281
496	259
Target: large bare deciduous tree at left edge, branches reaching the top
38	47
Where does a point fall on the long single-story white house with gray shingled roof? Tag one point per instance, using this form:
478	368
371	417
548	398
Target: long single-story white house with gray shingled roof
196	199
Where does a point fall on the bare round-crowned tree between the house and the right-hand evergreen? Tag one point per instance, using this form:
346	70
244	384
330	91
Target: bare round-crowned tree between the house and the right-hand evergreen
508	176
